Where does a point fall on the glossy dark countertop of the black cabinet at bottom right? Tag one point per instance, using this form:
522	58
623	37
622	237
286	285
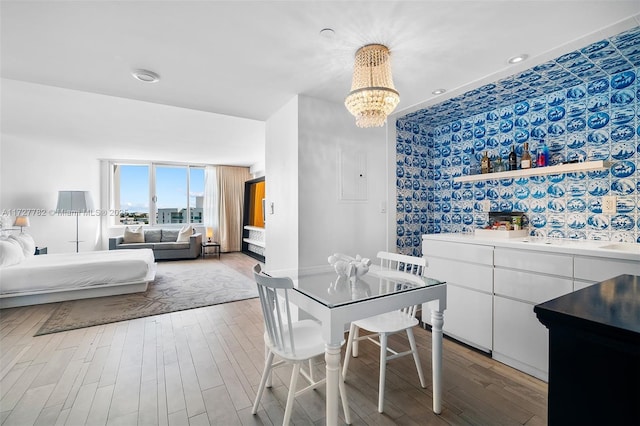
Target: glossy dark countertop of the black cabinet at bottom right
611	308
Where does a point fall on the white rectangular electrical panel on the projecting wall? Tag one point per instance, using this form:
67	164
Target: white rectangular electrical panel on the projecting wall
353	174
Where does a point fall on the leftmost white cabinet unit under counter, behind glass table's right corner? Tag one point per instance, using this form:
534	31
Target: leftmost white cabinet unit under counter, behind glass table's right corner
468	272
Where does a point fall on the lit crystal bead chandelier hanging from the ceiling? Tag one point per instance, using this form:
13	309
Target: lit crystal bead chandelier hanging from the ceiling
373	96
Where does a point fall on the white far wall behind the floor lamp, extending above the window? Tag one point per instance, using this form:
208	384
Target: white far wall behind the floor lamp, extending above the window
53	139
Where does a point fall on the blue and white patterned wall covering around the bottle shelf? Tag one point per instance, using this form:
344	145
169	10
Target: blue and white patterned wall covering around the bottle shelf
583	105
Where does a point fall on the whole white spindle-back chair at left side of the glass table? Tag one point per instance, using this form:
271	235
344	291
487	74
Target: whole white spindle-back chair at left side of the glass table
295	342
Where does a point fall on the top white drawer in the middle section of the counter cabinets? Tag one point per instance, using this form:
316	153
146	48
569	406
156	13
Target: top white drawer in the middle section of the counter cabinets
535	261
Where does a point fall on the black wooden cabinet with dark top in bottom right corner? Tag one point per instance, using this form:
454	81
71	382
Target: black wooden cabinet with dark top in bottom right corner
594	354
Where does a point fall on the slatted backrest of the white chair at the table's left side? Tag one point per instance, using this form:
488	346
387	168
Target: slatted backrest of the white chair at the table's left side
274	300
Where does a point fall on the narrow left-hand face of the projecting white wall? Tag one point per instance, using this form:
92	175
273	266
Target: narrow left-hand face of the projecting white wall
281	189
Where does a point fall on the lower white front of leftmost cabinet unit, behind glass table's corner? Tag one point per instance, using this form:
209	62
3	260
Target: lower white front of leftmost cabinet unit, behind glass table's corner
467	317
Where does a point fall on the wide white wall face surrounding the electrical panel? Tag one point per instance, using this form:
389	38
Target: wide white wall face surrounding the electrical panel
328	224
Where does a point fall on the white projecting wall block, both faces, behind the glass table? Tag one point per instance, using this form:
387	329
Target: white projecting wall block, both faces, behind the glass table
310	221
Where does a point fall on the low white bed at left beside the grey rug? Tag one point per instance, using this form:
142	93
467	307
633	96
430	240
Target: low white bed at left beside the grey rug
68	276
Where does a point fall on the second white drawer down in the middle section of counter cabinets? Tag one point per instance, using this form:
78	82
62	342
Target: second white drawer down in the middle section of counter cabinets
529	287
